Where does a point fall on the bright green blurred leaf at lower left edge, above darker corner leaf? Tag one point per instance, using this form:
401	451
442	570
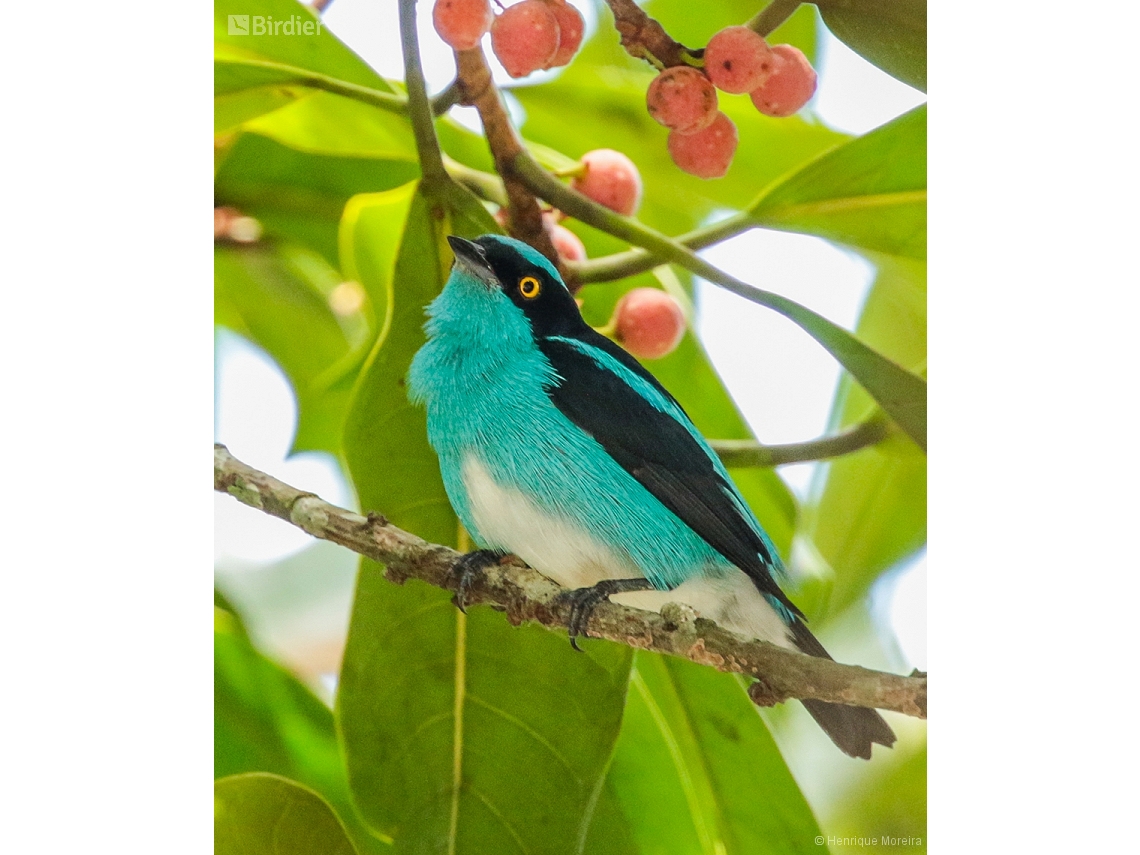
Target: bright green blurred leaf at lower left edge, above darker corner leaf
267	721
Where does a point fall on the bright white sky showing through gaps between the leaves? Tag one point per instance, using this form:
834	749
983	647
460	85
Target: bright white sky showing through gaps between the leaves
781	379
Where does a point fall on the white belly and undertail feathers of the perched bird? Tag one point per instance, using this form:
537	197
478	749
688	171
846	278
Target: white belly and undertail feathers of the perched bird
575	559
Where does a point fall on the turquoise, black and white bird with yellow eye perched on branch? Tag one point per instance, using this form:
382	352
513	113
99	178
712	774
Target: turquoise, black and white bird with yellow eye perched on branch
559	447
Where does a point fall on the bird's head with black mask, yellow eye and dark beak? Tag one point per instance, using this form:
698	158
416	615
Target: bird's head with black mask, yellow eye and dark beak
506	270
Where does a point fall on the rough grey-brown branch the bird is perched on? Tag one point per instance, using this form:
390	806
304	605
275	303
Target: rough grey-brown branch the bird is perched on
525	595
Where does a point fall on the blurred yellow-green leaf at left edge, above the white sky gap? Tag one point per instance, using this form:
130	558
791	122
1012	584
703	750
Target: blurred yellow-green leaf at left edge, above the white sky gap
278	296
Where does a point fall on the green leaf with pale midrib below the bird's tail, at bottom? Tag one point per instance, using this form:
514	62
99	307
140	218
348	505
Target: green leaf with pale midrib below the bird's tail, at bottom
695	748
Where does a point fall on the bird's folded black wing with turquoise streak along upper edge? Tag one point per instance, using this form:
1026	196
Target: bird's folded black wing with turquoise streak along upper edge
656	450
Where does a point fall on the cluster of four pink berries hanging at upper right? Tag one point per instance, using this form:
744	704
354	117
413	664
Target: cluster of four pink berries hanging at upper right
703	141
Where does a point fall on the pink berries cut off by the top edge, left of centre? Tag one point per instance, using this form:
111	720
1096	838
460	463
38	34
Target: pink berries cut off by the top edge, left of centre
526	37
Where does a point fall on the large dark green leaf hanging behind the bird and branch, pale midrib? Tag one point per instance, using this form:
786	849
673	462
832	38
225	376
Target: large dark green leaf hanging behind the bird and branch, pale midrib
459	730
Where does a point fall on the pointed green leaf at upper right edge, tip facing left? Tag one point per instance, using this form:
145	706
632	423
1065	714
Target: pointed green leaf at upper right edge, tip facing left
869	193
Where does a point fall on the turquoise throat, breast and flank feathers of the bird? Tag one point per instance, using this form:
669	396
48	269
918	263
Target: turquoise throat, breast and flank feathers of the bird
484	388
